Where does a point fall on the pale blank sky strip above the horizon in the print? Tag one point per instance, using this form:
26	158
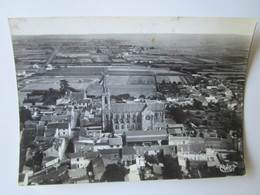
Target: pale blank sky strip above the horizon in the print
128	25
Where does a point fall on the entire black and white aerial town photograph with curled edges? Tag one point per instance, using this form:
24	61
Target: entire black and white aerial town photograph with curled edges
114	99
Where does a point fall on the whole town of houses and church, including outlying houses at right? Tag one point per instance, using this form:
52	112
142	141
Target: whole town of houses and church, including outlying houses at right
80	138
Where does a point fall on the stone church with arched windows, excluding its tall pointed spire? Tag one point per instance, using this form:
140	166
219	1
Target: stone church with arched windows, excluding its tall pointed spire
134	116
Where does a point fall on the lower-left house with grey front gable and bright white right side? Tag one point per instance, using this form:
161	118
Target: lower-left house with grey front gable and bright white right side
57	149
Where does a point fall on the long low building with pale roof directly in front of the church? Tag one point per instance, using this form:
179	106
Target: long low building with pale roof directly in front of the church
154	137
